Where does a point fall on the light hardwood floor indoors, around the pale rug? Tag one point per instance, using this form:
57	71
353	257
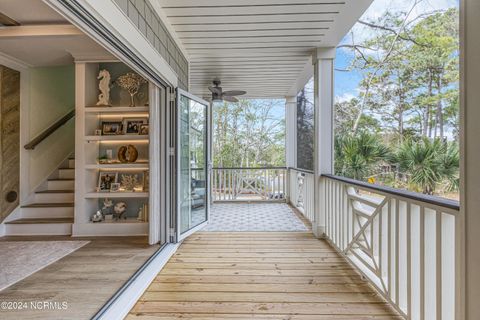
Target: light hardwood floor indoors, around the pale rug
84	279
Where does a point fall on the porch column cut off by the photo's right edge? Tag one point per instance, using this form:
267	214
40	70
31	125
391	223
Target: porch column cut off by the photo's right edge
470	155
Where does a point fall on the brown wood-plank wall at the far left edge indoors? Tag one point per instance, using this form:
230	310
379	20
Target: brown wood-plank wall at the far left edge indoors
9	140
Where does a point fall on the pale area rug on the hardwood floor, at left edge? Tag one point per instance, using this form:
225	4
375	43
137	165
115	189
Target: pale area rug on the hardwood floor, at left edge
19	259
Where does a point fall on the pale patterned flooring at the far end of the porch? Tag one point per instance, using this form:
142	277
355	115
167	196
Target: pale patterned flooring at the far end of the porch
253	217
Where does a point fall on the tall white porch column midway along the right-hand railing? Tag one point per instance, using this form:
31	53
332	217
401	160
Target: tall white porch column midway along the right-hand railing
323	158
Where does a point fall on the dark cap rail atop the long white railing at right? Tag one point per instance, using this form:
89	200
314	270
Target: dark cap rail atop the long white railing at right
441	202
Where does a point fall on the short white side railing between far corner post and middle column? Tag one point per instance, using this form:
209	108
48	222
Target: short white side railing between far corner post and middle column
302	192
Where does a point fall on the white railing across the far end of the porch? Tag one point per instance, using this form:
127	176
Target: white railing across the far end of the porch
249	184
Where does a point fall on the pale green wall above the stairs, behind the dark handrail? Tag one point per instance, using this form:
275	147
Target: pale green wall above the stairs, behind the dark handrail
52	95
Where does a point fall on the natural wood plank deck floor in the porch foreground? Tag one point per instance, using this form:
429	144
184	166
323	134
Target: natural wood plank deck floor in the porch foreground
262	275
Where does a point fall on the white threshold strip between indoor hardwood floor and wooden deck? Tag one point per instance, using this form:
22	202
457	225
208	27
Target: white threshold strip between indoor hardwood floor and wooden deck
125	302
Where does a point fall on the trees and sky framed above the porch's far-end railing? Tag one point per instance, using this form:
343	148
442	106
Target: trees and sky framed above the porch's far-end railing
249	133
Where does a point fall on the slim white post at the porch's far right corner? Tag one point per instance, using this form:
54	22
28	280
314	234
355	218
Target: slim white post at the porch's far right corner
291	131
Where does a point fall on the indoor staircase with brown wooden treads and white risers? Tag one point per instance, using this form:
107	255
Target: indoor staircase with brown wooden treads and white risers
51	211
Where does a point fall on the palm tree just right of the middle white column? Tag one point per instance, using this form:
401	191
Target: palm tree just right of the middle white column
356	156
